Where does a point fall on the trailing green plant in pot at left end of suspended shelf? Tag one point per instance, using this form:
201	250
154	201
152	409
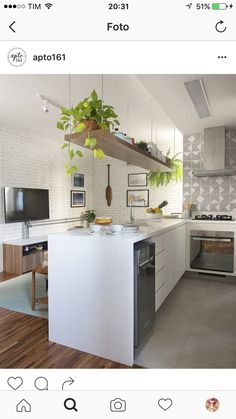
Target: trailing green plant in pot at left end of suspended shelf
90	114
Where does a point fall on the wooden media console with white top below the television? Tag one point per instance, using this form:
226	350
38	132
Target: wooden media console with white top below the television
21	256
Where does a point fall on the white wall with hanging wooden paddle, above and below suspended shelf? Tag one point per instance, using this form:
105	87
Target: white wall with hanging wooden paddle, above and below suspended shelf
142	118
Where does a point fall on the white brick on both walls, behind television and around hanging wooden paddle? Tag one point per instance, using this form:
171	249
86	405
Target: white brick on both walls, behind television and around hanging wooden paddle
35	162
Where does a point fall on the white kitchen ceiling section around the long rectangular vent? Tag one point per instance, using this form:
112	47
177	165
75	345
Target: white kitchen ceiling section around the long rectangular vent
170	93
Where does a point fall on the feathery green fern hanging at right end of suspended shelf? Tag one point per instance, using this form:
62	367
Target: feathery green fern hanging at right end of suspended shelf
156	179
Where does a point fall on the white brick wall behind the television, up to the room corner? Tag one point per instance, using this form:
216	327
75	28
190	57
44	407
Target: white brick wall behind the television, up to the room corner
30	161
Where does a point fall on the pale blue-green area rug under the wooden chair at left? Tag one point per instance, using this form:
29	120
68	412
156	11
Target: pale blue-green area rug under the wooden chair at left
15	295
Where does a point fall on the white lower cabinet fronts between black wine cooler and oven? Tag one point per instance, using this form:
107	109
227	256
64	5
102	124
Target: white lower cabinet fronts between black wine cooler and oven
170	262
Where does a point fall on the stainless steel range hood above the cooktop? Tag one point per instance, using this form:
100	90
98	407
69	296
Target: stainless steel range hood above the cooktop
214	163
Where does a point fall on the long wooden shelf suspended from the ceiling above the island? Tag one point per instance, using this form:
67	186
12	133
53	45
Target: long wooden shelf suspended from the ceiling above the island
121	150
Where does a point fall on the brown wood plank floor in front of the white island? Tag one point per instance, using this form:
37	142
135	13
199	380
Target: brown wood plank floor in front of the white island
24	344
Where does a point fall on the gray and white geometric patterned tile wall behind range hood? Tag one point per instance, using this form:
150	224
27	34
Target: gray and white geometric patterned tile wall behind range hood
214	194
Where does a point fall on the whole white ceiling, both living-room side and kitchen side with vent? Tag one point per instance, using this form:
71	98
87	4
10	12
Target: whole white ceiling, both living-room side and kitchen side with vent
20	108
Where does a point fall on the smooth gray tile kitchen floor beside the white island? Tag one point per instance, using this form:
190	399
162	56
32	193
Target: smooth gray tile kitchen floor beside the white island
195	327
